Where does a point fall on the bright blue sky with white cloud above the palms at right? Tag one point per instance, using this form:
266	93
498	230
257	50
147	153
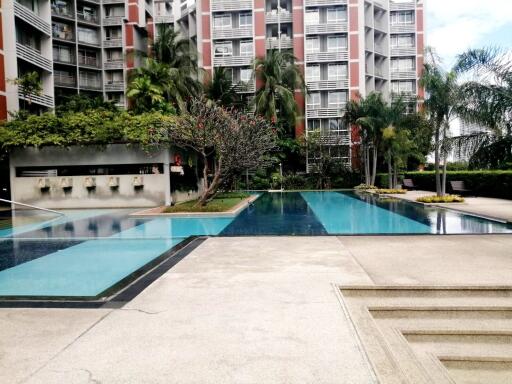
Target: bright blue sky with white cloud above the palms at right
455	25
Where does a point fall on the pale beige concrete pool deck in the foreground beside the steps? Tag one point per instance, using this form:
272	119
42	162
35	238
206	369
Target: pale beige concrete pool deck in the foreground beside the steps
244	310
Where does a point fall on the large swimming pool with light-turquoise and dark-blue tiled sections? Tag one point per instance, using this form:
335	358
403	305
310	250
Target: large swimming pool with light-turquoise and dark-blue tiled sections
86	252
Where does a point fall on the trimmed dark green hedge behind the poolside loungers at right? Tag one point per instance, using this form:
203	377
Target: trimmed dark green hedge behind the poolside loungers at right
482	183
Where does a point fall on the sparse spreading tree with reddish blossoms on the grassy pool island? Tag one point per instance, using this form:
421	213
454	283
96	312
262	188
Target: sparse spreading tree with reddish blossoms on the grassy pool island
228	142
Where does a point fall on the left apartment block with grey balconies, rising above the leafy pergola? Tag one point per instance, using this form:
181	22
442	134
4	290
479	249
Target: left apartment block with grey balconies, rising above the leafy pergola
76	46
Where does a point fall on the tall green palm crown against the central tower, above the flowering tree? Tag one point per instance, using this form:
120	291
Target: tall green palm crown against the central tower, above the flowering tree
280	76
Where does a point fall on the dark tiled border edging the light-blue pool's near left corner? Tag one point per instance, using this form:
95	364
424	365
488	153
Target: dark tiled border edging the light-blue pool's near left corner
121	292
